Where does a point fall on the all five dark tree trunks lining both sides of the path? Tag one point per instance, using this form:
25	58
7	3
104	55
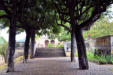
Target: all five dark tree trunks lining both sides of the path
83	62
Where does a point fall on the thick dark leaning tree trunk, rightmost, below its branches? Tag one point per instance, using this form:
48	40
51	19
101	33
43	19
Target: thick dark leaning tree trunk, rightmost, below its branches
83	62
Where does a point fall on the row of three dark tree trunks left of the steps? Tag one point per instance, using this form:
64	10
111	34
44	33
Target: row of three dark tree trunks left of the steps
11	47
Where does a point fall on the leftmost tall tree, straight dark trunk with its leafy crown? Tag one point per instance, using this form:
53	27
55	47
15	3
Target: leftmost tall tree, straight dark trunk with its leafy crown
13	10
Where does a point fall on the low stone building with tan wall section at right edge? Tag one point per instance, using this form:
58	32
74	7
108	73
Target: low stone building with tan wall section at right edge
104	43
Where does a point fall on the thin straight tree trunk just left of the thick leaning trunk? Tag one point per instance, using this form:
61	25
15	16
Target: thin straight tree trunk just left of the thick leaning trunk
72	46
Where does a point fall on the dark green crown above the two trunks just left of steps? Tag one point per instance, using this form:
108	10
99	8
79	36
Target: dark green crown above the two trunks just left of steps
40	18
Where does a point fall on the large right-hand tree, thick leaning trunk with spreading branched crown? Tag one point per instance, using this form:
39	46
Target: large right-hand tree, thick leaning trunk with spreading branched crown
81	14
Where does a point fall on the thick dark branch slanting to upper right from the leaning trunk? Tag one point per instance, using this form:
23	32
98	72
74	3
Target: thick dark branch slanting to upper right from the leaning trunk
96	13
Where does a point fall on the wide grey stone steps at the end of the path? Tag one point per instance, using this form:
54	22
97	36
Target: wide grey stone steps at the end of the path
49	52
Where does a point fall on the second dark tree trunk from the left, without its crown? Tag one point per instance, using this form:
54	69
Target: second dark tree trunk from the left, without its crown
26	46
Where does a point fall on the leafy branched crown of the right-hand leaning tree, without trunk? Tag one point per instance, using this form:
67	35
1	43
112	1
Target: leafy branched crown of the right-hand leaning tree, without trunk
84	13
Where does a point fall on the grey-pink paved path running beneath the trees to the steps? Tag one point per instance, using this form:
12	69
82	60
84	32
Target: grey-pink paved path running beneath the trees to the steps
58	66
